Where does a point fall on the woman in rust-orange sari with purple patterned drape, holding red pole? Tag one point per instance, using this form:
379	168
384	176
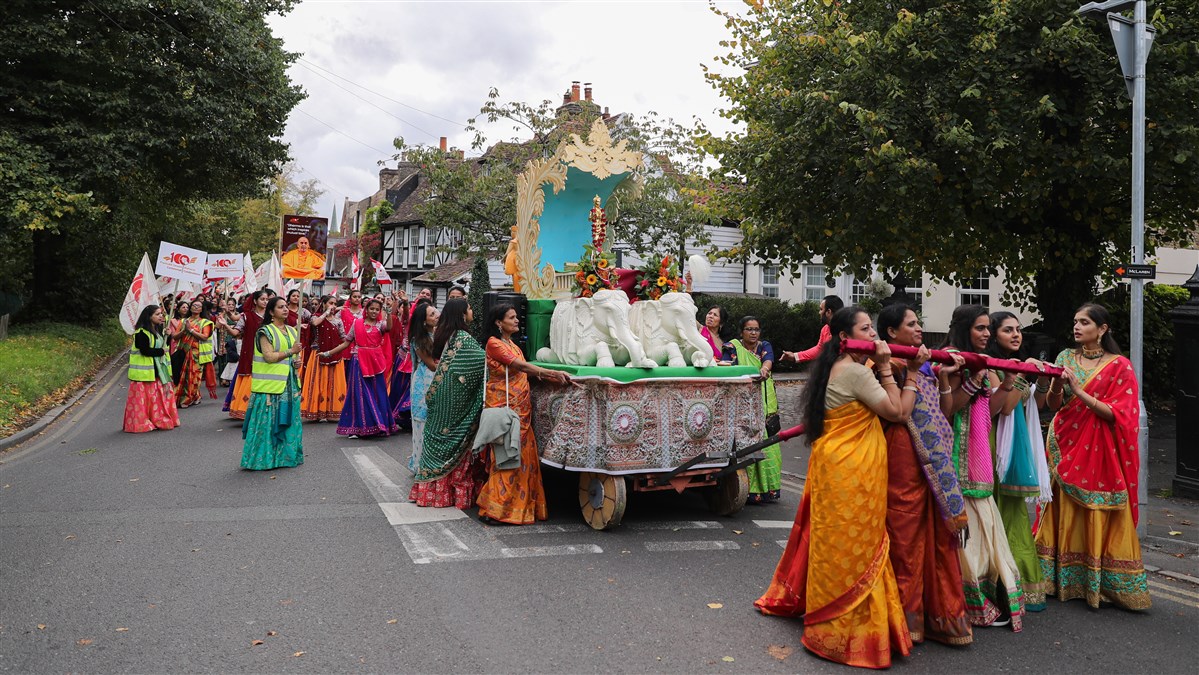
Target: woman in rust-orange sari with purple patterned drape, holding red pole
926	511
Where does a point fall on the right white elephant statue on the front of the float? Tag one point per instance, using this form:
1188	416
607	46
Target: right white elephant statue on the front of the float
667	329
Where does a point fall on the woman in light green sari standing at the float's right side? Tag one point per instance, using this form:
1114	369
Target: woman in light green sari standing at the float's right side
767	477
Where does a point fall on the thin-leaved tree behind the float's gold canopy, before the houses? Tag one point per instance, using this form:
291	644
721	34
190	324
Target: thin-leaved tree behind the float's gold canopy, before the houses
477	197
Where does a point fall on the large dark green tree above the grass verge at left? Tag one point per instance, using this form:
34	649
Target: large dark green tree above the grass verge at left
135	113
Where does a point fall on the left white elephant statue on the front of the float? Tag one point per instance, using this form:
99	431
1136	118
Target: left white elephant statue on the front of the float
594	332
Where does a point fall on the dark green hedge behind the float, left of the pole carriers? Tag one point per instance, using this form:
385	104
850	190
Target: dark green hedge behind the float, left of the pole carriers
784	326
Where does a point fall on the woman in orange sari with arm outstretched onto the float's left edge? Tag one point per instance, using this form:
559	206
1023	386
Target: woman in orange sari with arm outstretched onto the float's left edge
514	496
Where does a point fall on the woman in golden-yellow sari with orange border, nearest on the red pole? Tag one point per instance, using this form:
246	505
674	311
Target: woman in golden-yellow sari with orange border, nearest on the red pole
836	571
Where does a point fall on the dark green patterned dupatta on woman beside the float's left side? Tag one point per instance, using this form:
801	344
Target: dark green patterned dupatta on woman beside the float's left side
455	401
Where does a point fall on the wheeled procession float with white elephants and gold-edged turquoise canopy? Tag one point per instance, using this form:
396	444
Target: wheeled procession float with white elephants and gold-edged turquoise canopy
649	408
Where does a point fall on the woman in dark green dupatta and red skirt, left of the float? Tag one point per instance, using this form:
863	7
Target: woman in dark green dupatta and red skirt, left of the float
449	473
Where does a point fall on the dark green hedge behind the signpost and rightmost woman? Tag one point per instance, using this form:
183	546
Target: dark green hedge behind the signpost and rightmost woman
1159	385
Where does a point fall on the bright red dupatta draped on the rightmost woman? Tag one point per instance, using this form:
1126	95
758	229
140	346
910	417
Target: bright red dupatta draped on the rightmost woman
1098	462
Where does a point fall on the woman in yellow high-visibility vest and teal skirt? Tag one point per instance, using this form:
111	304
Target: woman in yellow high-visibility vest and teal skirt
272	430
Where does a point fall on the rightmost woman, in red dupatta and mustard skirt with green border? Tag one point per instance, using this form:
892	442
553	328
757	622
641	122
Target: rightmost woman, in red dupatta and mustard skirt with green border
1087	537
